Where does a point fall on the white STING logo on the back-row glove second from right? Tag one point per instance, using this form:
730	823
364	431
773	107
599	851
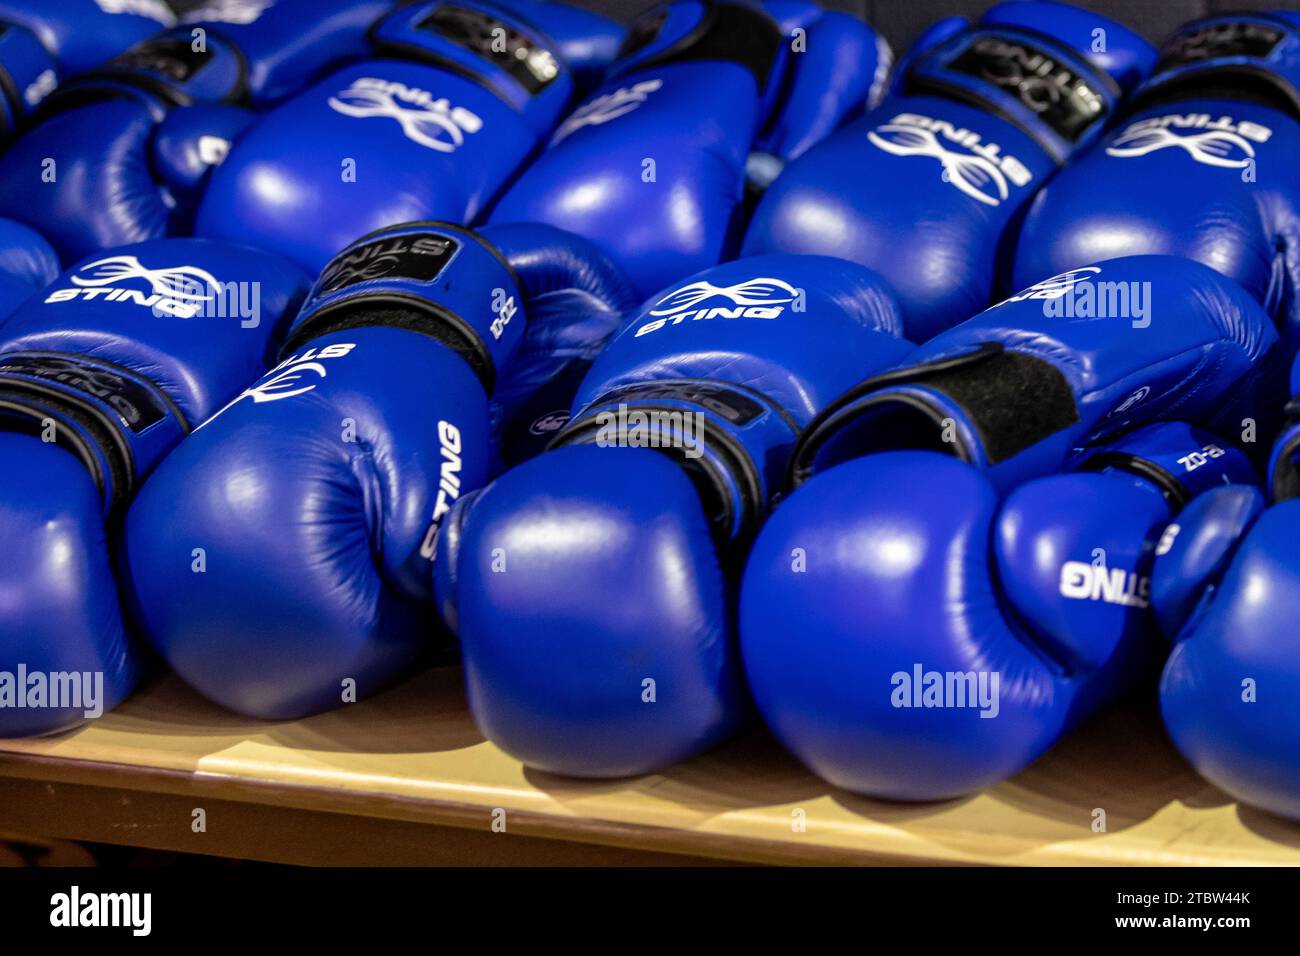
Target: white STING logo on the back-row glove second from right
982	172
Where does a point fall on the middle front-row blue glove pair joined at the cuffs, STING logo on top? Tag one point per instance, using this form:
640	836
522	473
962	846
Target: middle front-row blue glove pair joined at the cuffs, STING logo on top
592	587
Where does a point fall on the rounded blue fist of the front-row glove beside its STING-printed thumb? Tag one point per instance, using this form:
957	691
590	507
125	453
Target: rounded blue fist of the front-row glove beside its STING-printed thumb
874	635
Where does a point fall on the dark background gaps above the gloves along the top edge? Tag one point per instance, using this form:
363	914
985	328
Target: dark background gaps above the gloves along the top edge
902	21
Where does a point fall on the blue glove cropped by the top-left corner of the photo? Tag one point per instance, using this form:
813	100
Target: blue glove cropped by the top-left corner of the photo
85	34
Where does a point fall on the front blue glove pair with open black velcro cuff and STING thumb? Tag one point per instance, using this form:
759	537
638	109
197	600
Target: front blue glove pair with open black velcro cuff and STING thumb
909	568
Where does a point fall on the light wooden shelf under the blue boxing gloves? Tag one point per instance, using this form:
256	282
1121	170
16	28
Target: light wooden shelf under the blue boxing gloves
406	778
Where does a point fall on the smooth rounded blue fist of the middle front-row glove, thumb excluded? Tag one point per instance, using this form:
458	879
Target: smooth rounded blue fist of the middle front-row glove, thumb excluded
592	612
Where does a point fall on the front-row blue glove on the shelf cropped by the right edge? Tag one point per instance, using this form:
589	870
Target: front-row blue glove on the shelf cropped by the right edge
1225	590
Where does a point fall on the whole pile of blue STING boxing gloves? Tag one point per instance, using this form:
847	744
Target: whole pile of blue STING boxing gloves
710	370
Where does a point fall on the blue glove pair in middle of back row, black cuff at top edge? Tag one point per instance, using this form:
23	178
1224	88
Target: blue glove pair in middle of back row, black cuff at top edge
653	166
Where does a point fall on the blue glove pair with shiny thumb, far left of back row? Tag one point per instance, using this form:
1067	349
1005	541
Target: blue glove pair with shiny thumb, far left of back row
120	155
